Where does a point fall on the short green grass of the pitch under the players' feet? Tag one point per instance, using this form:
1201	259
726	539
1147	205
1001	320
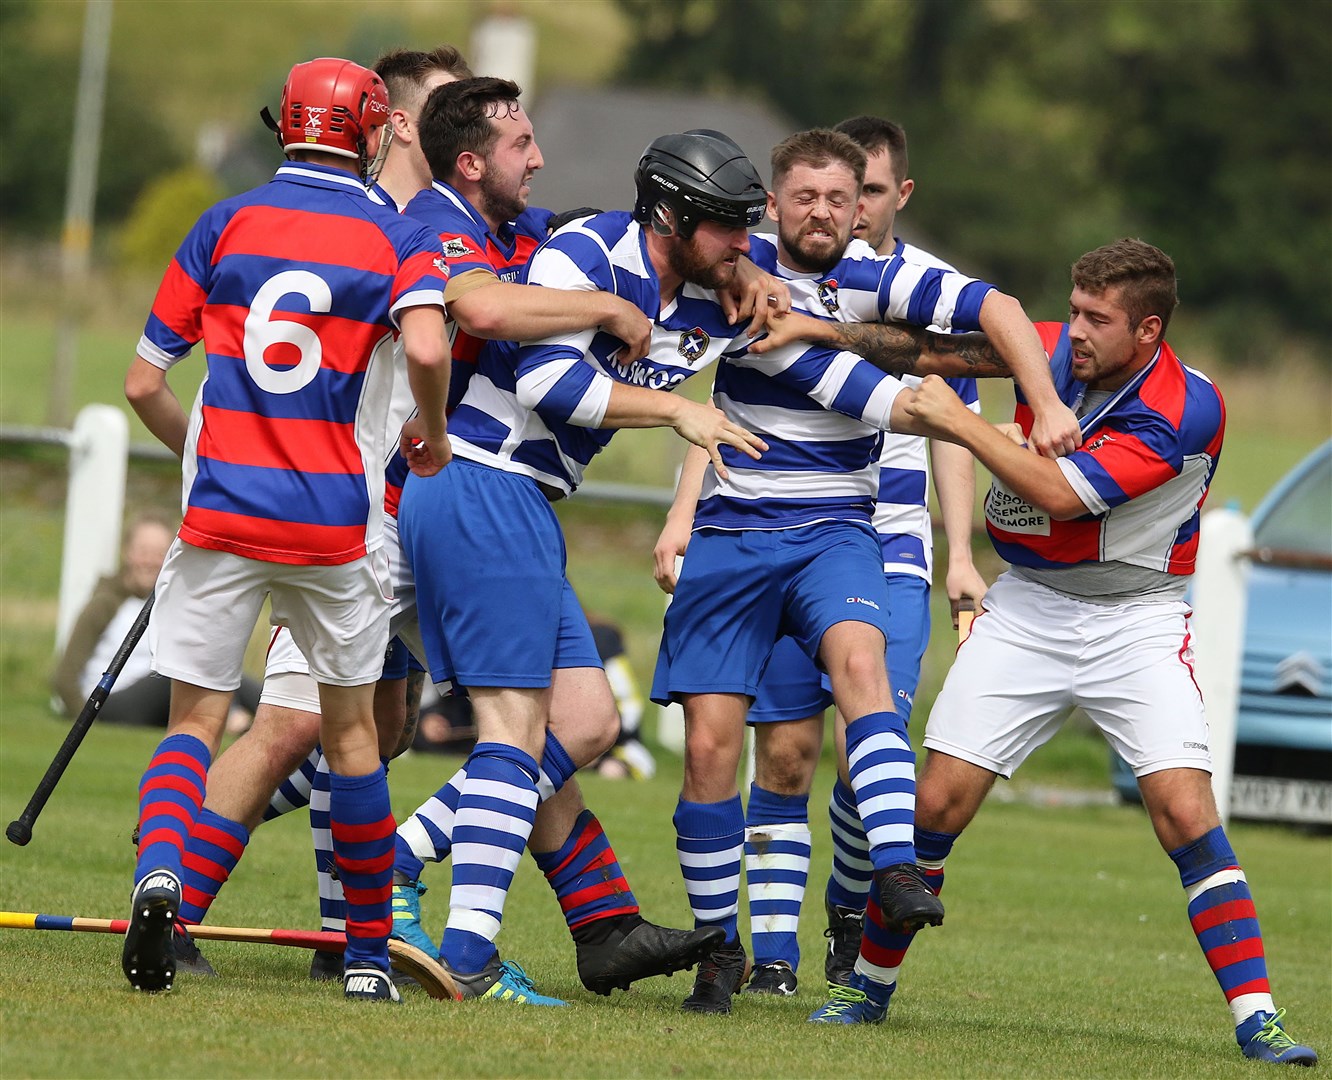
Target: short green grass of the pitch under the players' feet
1066	950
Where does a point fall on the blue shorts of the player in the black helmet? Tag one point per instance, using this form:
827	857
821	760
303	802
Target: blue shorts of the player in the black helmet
490	561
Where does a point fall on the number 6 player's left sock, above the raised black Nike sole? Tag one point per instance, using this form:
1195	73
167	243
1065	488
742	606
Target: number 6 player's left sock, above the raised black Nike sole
171	796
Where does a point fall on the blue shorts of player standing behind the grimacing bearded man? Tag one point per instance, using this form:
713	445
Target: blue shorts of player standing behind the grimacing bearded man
793	688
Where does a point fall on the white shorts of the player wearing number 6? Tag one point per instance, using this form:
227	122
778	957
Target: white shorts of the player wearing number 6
208	603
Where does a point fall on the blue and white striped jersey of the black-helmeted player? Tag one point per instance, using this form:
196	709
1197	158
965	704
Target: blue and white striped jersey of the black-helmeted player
535	408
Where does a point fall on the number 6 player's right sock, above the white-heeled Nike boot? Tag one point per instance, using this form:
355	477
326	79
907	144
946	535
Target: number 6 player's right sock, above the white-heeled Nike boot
362	822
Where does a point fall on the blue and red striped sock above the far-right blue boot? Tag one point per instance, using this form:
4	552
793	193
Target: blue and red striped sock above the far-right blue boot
1221	909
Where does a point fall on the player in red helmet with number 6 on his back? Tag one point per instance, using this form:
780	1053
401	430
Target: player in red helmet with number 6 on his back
266	513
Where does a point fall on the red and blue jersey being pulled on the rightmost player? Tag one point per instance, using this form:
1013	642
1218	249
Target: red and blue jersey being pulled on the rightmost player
1148	459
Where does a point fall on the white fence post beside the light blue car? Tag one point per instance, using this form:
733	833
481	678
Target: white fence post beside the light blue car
1219	600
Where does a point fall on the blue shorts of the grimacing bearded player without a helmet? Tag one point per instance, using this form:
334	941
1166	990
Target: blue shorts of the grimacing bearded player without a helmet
740	593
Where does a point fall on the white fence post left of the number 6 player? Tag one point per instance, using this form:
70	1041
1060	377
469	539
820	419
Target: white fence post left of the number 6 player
95	509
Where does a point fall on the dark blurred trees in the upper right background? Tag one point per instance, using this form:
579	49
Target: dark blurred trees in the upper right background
1046	129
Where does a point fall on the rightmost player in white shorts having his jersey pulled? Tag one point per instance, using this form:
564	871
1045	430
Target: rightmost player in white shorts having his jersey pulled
1093	615
